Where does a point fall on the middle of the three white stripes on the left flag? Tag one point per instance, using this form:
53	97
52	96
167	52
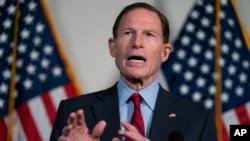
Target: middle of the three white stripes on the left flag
39	114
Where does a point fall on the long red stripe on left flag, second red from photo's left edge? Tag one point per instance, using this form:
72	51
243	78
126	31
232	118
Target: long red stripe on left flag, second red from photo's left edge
28	123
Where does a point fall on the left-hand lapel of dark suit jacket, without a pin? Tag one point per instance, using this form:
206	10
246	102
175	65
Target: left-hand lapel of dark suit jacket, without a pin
108	110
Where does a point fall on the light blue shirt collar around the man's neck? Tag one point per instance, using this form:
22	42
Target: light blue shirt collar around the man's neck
149	94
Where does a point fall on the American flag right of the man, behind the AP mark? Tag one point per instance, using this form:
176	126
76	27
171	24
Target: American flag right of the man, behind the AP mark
190	70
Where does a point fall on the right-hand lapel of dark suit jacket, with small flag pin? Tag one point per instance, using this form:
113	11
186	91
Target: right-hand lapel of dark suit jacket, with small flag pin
164	116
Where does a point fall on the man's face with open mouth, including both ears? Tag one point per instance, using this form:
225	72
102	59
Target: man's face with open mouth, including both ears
139	49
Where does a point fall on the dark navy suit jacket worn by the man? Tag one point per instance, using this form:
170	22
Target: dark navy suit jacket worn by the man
192	121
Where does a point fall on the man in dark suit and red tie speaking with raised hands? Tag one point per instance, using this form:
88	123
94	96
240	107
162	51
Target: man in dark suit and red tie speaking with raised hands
139	46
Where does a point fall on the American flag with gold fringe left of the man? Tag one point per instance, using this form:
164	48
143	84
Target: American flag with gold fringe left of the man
43	75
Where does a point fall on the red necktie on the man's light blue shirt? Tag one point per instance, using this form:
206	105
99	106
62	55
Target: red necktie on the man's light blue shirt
137	119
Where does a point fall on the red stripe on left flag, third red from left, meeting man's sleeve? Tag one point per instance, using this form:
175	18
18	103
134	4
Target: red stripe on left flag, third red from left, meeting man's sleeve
50	108
